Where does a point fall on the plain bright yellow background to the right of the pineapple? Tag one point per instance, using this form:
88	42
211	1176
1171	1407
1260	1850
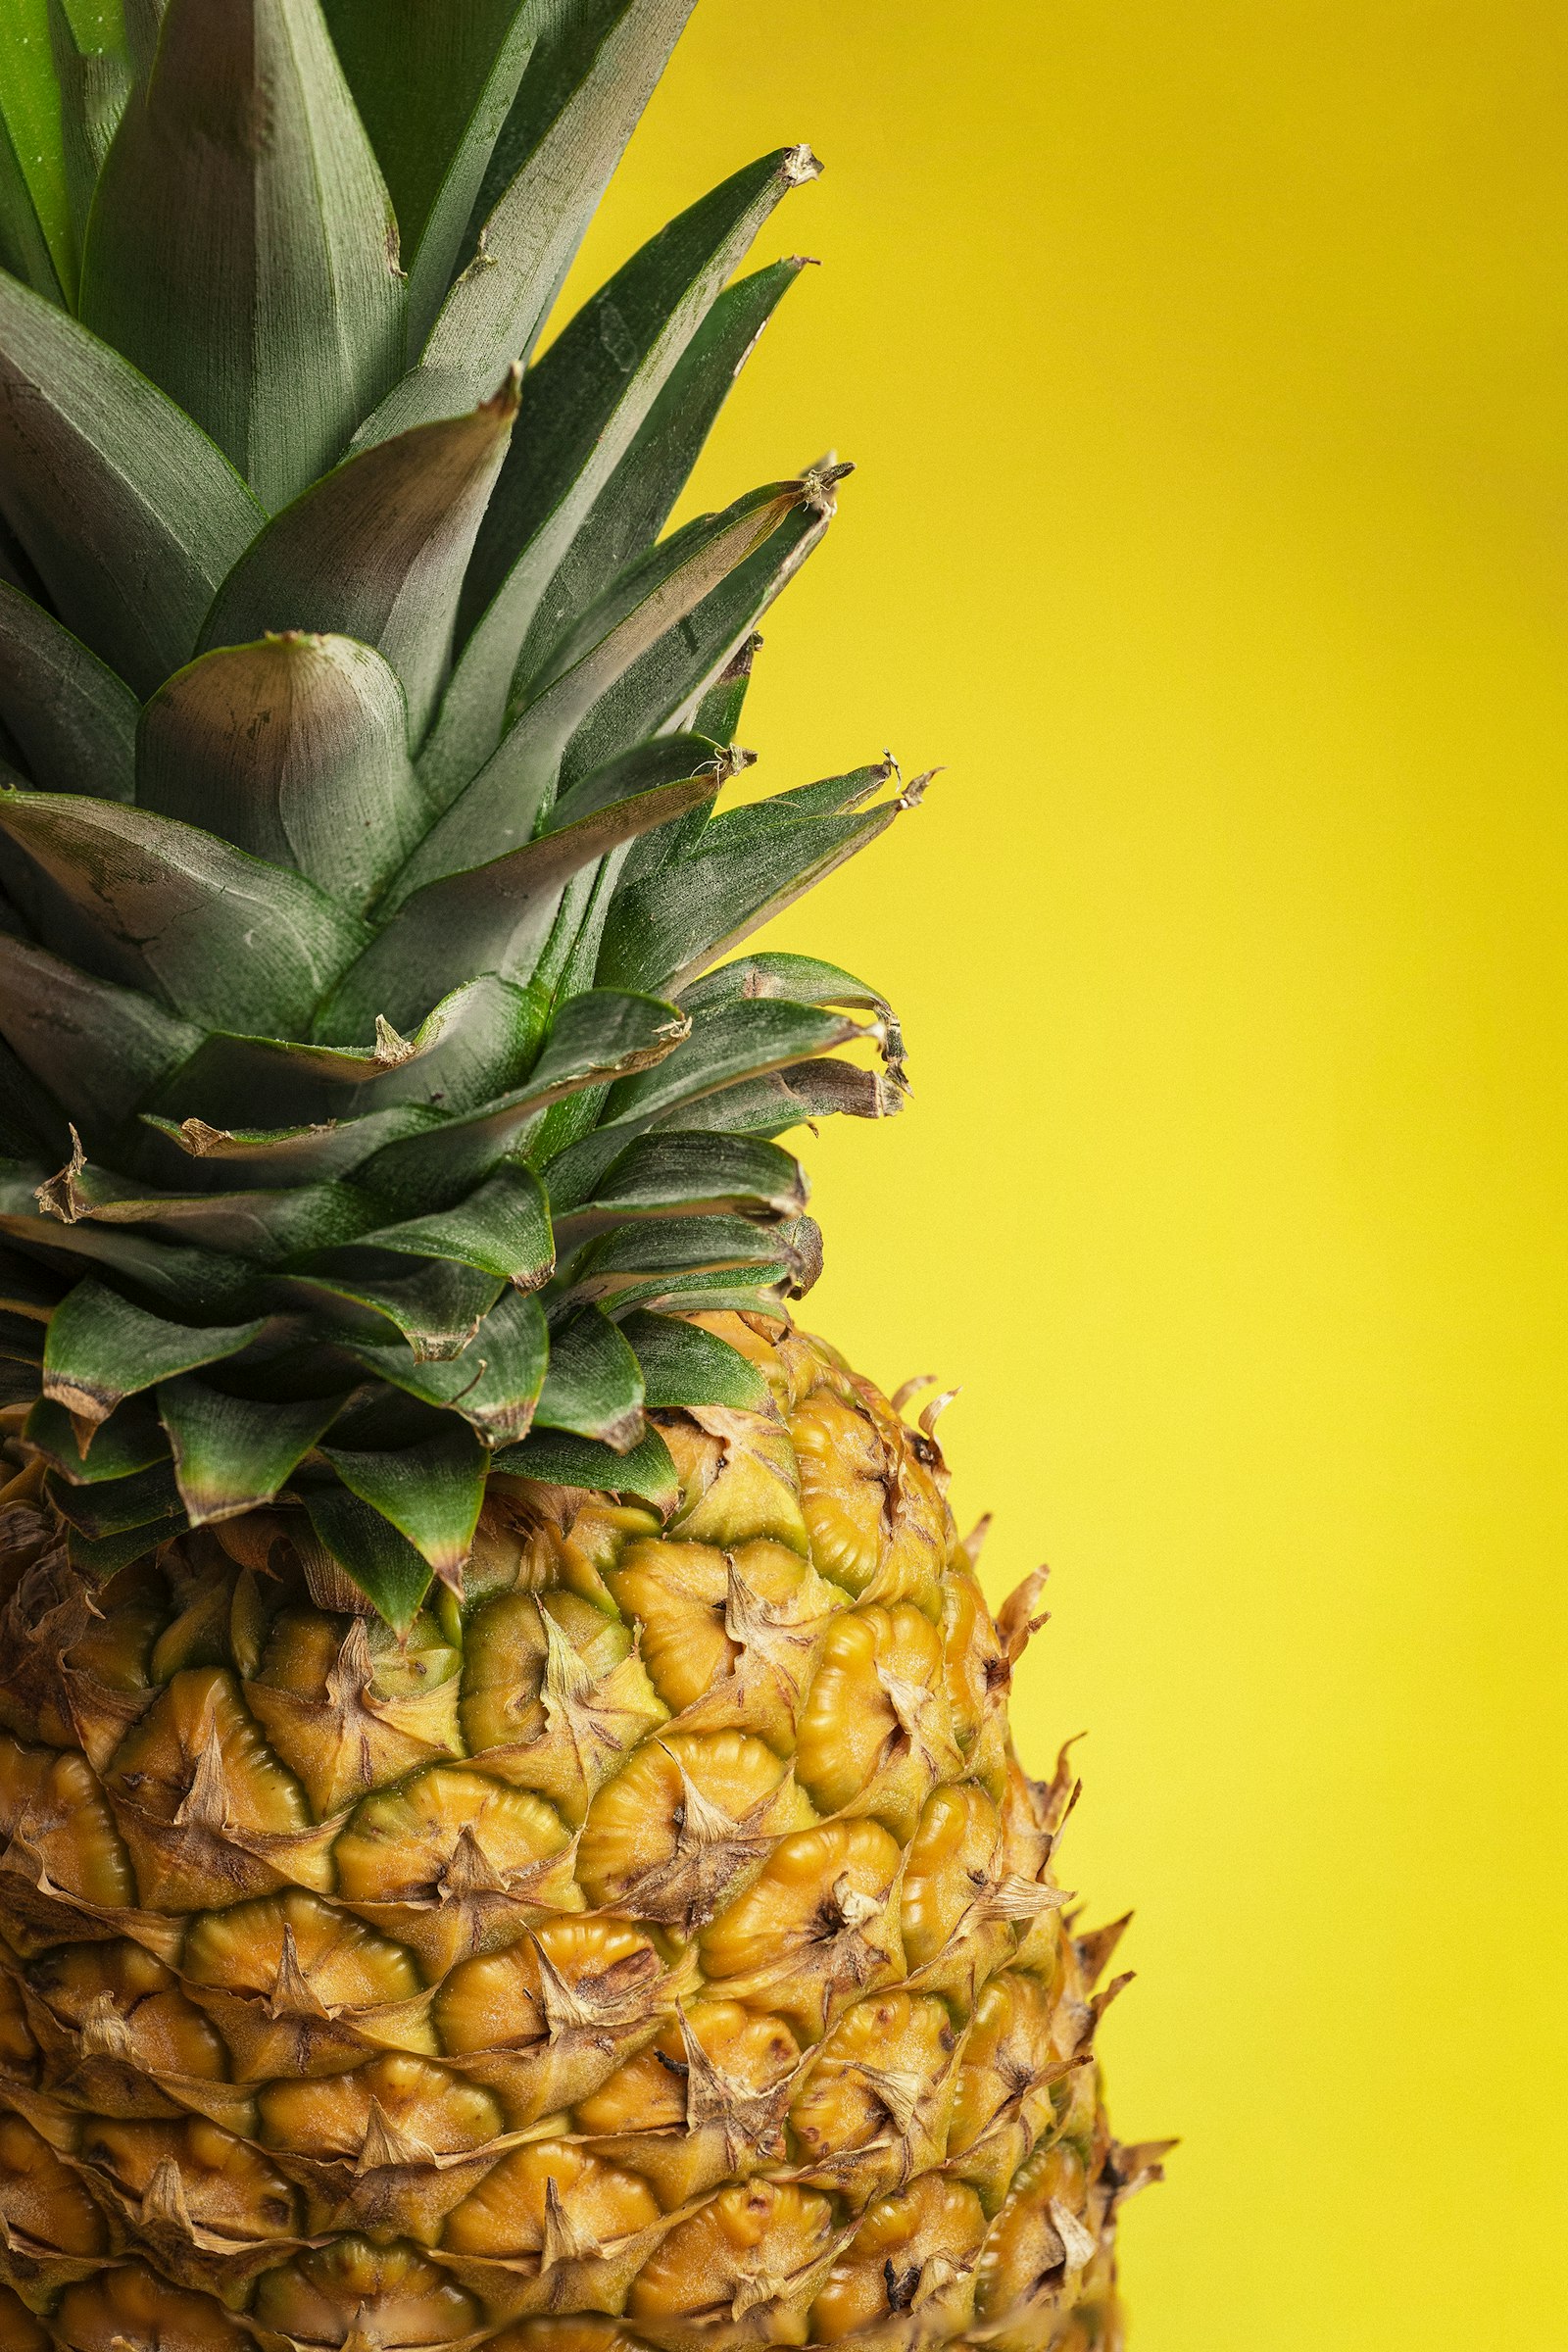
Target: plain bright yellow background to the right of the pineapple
1205	363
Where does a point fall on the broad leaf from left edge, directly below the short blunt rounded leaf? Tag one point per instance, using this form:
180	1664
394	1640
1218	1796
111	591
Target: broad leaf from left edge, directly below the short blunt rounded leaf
159	907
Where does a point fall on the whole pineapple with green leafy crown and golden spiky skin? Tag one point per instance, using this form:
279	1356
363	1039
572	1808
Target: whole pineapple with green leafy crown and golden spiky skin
509	1831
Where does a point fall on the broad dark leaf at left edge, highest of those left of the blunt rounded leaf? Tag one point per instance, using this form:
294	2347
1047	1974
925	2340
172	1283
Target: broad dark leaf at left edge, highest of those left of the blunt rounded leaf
109	488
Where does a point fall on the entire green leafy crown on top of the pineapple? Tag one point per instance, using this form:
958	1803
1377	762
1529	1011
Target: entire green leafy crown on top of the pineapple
375	1102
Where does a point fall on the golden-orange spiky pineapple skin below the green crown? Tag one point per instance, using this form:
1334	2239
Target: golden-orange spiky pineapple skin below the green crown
659	1949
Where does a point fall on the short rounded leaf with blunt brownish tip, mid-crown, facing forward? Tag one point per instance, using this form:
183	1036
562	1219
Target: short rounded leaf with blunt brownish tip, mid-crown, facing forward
297	751
